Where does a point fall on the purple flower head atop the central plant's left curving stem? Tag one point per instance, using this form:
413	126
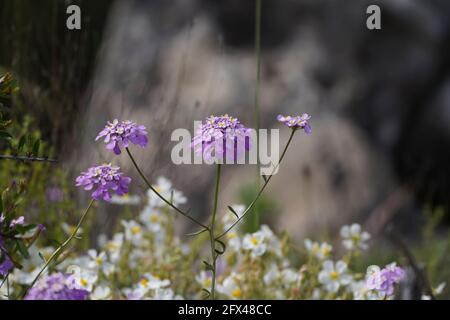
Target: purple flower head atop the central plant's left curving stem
118	135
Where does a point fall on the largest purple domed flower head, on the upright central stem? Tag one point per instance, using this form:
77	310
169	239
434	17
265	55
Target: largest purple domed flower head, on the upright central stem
220	137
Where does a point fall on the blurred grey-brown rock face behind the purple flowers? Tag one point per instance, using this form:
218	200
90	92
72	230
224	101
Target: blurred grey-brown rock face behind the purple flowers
374	96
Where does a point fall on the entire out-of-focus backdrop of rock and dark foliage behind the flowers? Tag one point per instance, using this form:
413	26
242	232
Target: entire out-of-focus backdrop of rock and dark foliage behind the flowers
379	100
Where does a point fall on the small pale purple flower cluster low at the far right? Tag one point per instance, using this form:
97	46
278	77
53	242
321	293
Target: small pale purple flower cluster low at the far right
384	280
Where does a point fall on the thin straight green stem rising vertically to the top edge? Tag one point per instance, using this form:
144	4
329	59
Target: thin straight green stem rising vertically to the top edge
255	221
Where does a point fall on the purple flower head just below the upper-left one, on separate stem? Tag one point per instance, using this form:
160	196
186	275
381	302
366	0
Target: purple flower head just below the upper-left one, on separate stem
102	179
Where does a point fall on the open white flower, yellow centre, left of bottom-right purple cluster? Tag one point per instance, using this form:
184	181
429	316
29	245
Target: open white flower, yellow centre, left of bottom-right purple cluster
334	275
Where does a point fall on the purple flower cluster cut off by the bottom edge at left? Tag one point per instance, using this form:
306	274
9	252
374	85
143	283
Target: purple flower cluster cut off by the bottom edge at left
57	286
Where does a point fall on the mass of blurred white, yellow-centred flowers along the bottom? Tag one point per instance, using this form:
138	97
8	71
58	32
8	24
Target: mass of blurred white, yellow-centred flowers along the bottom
145	259
